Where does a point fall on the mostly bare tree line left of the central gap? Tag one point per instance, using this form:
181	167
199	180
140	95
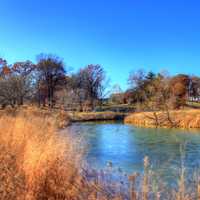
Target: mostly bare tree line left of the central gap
47	83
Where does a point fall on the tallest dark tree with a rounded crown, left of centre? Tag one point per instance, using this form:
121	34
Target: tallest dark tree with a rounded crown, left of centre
51	75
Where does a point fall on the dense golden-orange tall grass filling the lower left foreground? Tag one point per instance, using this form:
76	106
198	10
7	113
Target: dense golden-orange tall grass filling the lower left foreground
36	162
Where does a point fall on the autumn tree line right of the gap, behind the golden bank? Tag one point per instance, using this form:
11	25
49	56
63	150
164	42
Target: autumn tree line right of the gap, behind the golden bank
159	91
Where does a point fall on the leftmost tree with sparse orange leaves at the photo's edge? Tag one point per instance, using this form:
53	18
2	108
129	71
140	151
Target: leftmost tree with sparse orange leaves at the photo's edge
15	83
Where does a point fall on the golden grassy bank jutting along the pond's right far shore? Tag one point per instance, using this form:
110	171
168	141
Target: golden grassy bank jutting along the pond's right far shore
189	118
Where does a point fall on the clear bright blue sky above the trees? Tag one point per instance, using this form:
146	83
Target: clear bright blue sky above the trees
121	35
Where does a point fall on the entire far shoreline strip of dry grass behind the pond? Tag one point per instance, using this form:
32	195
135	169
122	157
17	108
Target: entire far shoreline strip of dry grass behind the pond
188	118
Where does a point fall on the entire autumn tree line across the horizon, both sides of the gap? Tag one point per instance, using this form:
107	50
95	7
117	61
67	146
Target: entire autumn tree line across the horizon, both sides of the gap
48	83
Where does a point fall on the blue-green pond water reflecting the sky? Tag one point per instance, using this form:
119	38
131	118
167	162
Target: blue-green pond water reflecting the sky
125	146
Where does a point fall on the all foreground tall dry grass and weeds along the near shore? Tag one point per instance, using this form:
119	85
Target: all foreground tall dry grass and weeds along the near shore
37	163
